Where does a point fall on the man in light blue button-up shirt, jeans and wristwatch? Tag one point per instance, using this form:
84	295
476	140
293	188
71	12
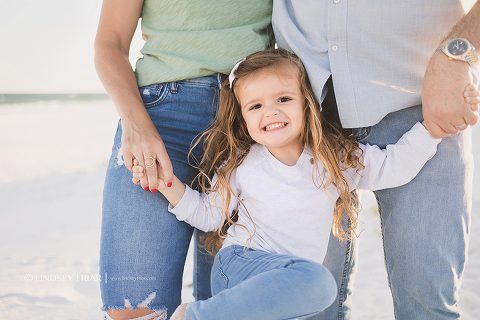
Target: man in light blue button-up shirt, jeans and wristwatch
390	64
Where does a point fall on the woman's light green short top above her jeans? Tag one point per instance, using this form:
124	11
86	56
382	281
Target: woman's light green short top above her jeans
194	38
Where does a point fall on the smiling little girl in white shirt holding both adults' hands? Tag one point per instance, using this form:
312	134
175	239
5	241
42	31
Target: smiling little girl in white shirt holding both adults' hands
276	176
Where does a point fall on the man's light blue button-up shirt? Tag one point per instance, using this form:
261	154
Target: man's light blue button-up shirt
376	50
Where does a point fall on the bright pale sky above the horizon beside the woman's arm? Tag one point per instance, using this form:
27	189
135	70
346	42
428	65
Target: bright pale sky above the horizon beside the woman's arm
47	46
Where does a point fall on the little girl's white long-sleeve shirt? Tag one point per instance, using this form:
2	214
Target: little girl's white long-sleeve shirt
284	211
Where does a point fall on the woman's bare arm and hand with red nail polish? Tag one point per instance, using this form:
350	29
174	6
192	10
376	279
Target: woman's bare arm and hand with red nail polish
140	139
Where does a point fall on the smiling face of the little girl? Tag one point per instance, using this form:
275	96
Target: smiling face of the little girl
272	107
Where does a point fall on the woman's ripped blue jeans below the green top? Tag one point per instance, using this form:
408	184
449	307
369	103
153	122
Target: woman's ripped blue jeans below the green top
143	246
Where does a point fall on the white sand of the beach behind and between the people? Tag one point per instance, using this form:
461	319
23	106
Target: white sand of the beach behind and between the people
52	167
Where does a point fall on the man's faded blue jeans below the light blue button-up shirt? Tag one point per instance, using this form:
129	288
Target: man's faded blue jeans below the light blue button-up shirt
425	226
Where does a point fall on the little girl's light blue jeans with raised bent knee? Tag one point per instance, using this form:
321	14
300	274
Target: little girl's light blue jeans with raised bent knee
249	284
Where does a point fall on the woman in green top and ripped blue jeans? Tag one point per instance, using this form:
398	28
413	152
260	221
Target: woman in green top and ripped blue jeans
163	105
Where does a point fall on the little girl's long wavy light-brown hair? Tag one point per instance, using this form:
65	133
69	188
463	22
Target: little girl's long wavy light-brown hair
227	142
